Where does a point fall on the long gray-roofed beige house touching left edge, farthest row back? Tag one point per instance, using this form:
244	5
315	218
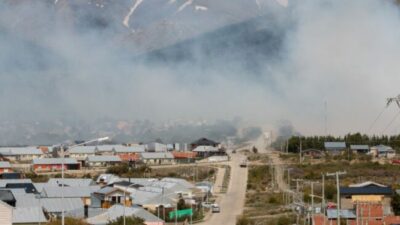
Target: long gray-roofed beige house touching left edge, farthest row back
21	153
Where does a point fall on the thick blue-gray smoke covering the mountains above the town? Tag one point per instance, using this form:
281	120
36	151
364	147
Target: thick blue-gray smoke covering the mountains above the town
66	62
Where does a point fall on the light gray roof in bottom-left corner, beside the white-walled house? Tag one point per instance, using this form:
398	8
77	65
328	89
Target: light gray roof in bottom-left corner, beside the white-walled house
28	215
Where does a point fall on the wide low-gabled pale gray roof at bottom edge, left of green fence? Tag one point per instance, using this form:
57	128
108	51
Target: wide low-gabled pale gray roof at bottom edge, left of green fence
118	210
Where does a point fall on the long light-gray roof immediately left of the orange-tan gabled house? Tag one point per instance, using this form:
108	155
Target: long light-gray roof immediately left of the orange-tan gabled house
69	192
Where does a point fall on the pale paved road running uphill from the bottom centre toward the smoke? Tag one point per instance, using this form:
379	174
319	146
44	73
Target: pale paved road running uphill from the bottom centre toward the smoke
232	202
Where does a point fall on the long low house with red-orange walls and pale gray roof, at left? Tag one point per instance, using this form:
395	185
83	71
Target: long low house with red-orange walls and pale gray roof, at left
55	164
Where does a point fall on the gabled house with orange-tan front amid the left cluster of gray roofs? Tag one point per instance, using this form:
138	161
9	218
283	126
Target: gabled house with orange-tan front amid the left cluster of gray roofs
109	196
